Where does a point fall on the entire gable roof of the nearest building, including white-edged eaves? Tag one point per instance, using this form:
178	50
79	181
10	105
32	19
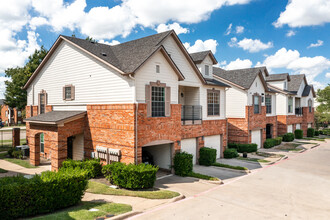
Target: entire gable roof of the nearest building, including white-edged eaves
126	57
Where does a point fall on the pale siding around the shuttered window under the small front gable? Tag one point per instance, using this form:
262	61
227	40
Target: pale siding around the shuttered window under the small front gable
147	74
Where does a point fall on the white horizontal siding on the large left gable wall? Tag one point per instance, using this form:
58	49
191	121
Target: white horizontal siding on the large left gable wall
95	83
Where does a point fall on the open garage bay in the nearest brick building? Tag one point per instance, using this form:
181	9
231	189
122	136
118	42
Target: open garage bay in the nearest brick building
158	155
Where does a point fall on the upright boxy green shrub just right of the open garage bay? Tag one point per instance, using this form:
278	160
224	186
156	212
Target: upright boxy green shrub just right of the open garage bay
183	164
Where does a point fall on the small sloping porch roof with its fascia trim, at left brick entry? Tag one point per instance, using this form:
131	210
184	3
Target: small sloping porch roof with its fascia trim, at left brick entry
56	118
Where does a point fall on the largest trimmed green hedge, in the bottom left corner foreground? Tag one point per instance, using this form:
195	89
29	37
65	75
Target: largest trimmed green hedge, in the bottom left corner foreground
50	191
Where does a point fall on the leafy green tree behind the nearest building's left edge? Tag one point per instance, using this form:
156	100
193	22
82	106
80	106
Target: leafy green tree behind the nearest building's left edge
15	96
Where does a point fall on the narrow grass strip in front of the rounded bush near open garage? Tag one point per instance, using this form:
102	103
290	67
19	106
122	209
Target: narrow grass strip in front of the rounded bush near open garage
100	188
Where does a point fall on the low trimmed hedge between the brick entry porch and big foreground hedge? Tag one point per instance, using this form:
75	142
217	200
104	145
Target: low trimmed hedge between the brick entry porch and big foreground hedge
93	167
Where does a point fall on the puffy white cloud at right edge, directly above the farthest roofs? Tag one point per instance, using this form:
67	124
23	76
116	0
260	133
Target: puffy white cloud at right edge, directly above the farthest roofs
291	60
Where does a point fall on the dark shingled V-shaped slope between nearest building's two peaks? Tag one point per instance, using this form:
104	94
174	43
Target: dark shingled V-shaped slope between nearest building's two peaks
125	56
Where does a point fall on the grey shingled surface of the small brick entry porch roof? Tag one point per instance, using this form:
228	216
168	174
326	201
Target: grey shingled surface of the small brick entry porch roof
54	117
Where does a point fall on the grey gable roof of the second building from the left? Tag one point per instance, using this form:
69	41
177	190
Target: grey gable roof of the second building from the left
242	78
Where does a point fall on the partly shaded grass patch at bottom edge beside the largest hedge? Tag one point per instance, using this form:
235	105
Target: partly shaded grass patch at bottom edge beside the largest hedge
82	211
